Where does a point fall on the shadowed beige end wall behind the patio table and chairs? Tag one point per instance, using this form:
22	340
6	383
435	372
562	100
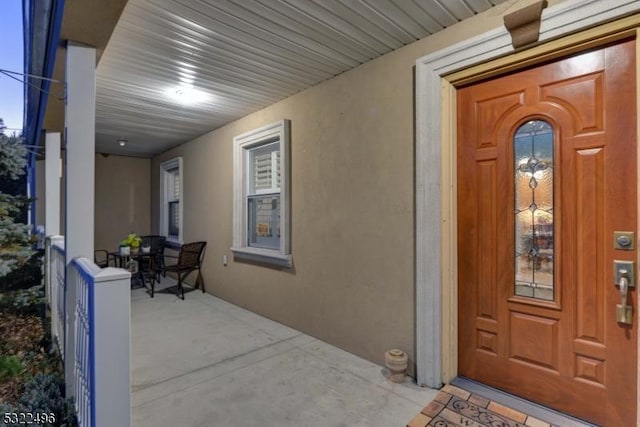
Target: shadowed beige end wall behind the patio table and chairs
122	199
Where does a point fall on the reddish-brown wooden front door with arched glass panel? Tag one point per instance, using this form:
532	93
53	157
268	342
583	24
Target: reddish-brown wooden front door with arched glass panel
546	161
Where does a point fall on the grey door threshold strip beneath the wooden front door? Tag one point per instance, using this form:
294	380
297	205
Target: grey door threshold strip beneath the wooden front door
540	412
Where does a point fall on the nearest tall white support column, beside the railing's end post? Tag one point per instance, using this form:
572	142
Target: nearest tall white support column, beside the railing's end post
80	176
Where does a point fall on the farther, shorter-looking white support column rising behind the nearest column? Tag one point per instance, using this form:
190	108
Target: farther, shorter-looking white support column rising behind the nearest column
53	173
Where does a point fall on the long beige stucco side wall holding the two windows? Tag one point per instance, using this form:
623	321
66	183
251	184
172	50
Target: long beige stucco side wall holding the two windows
353	222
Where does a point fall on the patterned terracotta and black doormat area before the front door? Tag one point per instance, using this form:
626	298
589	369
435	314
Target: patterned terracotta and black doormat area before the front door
454	406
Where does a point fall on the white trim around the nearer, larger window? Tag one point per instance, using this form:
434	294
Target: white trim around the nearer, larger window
280	131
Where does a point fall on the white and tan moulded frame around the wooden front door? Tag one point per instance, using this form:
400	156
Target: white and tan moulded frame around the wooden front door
437	74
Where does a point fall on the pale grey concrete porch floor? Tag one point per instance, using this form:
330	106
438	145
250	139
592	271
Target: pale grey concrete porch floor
205	362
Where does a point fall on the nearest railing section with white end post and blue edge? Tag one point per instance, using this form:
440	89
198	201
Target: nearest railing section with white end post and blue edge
102	354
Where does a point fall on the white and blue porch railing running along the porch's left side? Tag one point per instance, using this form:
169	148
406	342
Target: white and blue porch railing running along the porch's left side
96	315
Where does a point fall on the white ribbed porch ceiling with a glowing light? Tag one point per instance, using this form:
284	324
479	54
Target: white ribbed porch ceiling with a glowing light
241	56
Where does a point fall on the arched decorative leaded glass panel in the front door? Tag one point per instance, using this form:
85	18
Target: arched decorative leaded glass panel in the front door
533	148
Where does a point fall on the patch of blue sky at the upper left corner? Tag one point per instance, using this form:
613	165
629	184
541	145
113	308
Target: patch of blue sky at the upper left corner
11	91
